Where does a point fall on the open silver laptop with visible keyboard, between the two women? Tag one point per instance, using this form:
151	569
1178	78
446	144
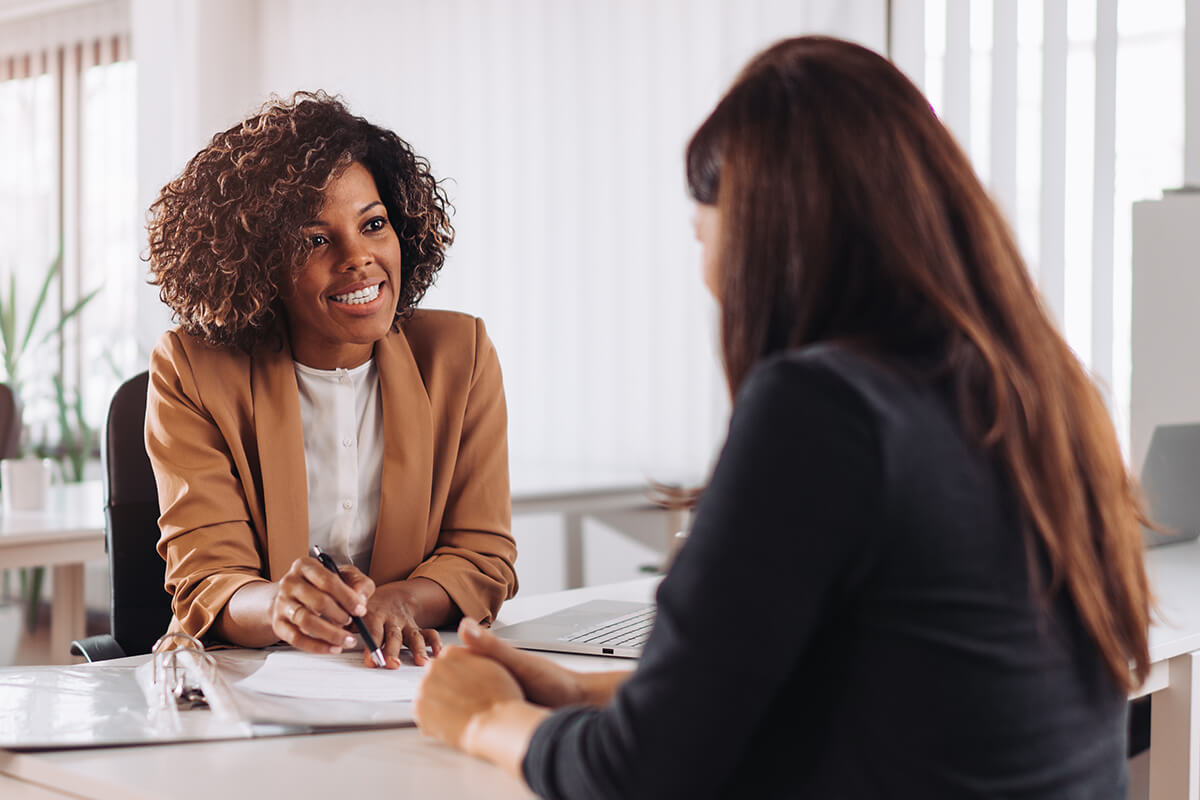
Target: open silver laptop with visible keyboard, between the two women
599	628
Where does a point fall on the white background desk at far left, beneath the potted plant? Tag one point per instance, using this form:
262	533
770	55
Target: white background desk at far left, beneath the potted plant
65	536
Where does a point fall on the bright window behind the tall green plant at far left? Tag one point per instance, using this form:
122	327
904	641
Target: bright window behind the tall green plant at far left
68	183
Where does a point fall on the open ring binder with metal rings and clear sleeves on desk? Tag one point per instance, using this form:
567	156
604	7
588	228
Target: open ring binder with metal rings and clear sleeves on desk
182	693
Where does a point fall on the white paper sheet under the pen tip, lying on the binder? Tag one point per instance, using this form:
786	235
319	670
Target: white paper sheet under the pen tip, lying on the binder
340	677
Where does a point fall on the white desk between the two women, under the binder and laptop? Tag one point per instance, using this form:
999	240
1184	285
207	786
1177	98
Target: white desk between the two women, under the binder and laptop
357	765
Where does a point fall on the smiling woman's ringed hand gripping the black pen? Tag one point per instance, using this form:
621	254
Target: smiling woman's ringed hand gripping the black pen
313	606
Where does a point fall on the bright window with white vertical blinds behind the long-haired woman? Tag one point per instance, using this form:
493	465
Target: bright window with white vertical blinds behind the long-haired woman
1071	111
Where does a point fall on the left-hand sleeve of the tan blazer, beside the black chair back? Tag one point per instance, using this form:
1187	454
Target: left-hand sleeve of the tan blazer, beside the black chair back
206	534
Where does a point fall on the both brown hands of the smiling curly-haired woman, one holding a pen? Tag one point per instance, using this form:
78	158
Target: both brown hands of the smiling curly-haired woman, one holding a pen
313	612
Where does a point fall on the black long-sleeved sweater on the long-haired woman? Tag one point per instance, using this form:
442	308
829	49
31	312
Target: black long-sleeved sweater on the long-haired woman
851	617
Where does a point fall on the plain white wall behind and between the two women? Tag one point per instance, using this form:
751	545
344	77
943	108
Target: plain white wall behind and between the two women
562	127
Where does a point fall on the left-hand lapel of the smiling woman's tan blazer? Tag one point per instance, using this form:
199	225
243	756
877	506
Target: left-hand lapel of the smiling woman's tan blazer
280	435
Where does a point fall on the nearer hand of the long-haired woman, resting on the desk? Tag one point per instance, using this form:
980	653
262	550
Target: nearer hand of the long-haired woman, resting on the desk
458	689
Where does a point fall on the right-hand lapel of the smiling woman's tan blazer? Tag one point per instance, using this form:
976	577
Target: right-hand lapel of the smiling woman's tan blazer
407	480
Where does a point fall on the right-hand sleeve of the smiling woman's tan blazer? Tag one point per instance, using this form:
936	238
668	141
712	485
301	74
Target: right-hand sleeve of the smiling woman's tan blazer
475	556
